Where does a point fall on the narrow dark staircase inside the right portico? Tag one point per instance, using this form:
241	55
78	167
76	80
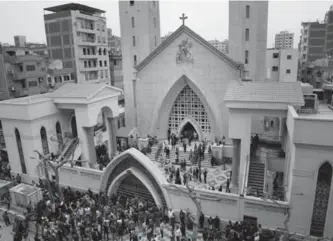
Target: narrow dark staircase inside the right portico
256	178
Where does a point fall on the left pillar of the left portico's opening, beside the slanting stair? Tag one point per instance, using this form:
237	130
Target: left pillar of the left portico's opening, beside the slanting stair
86	137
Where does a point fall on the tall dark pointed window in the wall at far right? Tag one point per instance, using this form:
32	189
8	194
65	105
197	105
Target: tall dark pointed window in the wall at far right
321	200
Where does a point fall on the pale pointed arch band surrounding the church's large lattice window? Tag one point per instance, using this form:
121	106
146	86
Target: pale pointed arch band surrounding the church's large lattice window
160	121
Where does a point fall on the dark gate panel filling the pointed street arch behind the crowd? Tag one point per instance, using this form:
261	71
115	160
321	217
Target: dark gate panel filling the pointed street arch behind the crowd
131	186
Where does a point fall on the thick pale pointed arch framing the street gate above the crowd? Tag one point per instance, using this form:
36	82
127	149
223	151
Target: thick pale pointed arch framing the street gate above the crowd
136	163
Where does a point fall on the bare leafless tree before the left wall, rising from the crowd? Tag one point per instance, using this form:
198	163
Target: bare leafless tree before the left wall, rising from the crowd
46	164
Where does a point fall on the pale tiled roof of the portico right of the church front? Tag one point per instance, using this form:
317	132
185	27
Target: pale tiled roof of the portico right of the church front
274	92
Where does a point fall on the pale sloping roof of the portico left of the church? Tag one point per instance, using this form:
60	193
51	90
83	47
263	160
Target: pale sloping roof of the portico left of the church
76	90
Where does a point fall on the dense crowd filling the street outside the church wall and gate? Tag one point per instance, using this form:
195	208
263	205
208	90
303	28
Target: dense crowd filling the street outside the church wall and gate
83	216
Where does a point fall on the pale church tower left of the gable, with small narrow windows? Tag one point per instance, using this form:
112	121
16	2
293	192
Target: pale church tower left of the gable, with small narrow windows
140	35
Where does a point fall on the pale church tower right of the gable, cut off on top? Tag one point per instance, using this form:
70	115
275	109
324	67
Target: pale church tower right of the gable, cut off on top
248	36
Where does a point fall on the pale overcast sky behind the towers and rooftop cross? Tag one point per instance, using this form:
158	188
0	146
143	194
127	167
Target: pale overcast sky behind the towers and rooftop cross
208	18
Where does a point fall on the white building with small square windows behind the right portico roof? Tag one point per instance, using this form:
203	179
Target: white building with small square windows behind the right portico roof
282	65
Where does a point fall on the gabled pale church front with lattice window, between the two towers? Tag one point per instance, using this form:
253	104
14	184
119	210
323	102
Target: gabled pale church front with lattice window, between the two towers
180	86
